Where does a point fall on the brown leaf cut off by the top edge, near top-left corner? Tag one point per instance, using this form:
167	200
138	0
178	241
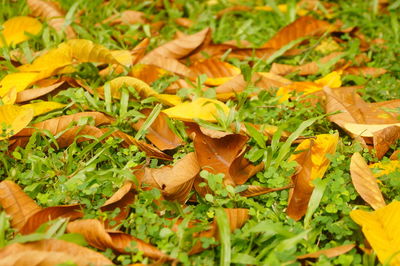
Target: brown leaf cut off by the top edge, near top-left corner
52	13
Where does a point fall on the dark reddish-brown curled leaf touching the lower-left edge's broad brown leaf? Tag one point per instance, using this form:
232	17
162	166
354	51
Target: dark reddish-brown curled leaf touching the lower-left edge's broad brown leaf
71	212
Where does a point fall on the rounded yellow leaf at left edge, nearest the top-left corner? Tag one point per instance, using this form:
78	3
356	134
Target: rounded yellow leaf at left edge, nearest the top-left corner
15	29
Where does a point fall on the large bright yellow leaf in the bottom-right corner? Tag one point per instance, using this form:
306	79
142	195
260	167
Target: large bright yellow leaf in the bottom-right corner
382	230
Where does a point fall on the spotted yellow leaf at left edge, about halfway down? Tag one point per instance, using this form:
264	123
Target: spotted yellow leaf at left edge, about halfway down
13	119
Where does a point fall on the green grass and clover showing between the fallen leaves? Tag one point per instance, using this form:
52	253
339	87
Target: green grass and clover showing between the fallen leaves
90	172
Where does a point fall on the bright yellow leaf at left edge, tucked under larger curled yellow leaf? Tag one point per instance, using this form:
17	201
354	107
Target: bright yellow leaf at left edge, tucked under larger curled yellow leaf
18	81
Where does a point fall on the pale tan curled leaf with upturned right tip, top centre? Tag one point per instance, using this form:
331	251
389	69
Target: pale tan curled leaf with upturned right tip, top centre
178	48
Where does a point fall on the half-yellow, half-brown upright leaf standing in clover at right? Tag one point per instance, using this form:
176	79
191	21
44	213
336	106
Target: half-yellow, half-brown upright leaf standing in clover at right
311	156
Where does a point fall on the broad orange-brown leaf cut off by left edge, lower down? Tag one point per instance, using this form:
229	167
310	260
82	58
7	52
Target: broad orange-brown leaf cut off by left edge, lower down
16	204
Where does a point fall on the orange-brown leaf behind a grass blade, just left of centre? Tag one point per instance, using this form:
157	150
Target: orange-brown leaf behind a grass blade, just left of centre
159	133
